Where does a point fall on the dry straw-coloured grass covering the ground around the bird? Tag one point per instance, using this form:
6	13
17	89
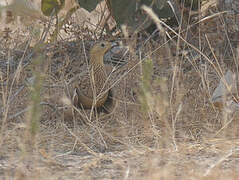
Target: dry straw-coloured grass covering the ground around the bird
164	127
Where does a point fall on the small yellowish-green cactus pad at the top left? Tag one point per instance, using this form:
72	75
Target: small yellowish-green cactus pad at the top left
49	6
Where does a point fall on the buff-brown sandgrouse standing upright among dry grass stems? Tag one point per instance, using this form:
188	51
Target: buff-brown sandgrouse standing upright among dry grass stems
91	88
